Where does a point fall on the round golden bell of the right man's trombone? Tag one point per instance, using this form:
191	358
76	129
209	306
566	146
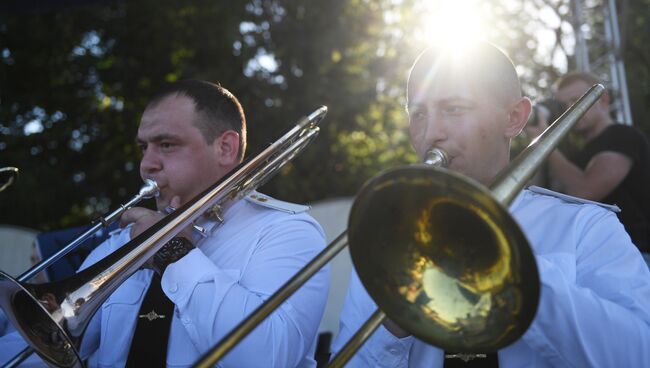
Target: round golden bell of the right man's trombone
448	264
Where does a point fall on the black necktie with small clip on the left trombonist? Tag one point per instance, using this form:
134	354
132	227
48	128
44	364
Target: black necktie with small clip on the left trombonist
149	345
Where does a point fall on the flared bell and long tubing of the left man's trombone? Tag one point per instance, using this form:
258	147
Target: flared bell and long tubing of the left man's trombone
52	317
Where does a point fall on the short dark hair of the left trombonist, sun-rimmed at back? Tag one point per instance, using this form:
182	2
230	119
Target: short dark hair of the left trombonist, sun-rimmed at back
218	108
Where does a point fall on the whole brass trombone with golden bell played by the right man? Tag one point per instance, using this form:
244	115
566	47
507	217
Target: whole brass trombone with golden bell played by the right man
449	288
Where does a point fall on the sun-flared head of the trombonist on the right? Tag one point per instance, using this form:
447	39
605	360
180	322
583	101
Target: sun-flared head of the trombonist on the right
469	104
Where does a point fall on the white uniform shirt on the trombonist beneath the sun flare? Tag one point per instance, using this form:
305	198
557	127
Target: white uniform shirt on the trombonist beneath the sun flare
594	308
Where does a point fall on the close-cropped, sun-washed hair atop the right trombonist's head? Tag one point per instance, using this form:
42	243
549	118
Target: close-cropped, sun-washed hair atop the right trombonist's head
482	65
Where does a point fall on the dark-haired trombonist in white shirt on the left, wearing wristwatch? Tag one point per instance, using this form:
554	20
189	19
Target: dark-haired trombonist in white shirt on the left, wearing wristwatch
205	280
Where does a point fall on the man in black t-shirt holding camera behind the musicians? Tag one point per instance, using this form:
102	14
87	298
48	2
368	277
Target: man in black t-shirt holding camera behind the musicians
612	167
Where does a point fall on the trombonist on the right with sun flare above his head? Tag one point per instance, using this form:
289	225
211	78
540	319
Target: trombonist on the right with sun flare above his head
594	307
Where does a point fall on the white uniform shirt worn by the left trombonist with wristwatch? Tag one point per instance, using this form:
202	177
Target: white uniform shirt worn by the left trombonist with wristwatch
215	287
